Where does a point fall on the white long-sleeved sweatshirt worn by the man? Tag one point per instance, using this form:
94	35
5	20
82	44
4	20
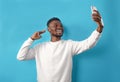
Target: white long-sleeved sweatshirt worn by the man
54	59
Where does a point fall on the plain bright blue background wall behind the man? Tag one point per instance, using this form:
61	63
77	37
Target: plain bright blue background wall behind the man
19	19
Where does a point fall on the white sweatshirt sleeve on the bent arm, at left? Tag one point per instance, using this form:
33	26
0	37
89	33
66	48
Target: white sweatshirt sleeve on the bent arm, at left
25	52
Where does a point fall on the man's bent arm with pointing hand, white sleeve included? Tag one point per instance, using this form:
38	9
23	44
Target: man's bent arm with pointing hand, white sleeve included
25	52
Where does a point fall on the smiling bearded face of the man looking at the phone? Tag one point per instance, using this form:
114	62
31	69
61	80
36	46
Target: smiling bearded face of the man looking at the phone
55	28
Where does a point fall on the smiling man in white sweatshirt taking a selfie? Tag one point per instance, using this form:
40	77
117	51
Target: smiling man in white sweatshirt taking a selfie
54	58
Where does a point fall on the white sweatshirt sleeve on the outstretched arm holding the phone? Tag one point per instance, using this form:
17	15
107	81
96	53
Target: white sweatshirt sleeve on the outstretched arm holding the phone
81	46
